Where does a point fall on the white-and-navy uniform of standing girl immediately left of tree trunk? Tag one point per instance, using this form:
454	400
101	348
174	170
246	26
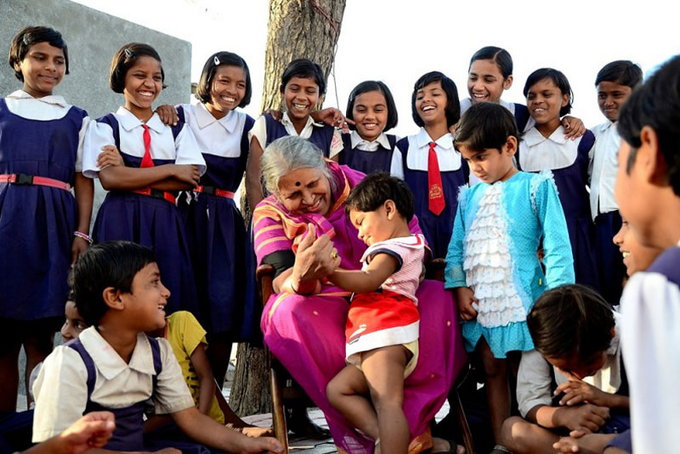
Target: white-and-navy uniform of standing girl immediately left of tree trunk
218	241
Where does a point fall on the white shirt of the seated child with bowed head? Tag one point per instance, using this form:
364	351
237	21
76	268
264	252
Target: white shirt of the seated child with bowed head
534	378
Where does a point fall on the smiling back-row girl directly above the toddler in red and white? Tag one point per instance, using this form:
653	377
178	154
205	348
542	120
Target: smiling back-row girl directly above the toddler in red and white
367	148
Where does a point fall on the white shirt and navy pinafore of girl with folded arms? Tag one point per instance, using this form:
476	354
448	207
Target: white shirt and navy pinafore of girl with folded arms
151	220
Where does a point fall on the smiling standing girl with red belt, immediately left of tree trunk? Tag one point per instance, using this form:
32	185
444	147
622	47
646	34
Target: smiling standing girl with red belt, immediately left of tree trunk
220	247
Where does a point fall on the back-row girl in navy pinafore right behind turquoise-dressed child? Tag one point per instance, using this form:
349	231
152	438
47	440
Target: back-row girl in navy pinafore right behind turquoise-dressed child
544	147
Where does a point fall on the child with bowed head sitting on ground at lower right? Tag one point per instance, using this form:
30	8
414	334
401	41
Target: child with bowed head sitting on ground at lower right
573	381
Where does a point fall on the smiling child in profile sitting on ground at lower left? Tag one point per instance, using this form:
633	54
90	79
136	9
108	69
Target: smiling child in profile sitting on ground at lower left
114	366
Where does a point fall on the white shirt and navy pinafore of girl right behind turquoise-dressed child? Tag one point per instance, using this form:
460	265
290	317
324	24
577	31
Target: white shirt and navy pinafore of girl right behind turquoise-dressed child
571	181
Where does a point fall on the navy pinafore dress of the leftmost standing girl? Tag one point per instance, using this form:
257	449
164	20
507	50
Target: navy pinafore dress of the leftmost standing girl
37	222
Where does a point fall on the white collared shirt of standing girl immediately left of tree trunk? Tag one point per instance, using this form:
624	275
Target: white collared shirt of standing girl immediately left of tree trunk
215	137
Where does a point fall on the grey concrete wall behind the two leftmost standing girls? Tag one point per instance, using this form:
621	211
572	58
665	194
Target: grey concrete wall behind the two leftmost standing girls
92	38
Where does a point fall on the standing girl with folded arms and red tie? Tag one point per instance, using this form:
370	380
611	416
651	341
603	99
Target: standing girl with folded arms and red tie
143	163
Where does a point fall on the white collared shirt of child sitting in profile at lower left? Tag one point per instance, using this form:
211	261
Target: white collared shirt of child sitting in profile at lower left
61	388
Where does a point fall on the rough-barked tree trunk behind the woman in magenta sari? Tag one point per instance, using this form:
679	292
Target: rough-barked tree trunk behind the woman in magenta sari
297	29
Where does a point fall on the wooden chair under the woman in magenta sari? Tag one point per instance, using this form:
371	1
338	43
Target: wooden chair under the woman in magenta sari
265	276
